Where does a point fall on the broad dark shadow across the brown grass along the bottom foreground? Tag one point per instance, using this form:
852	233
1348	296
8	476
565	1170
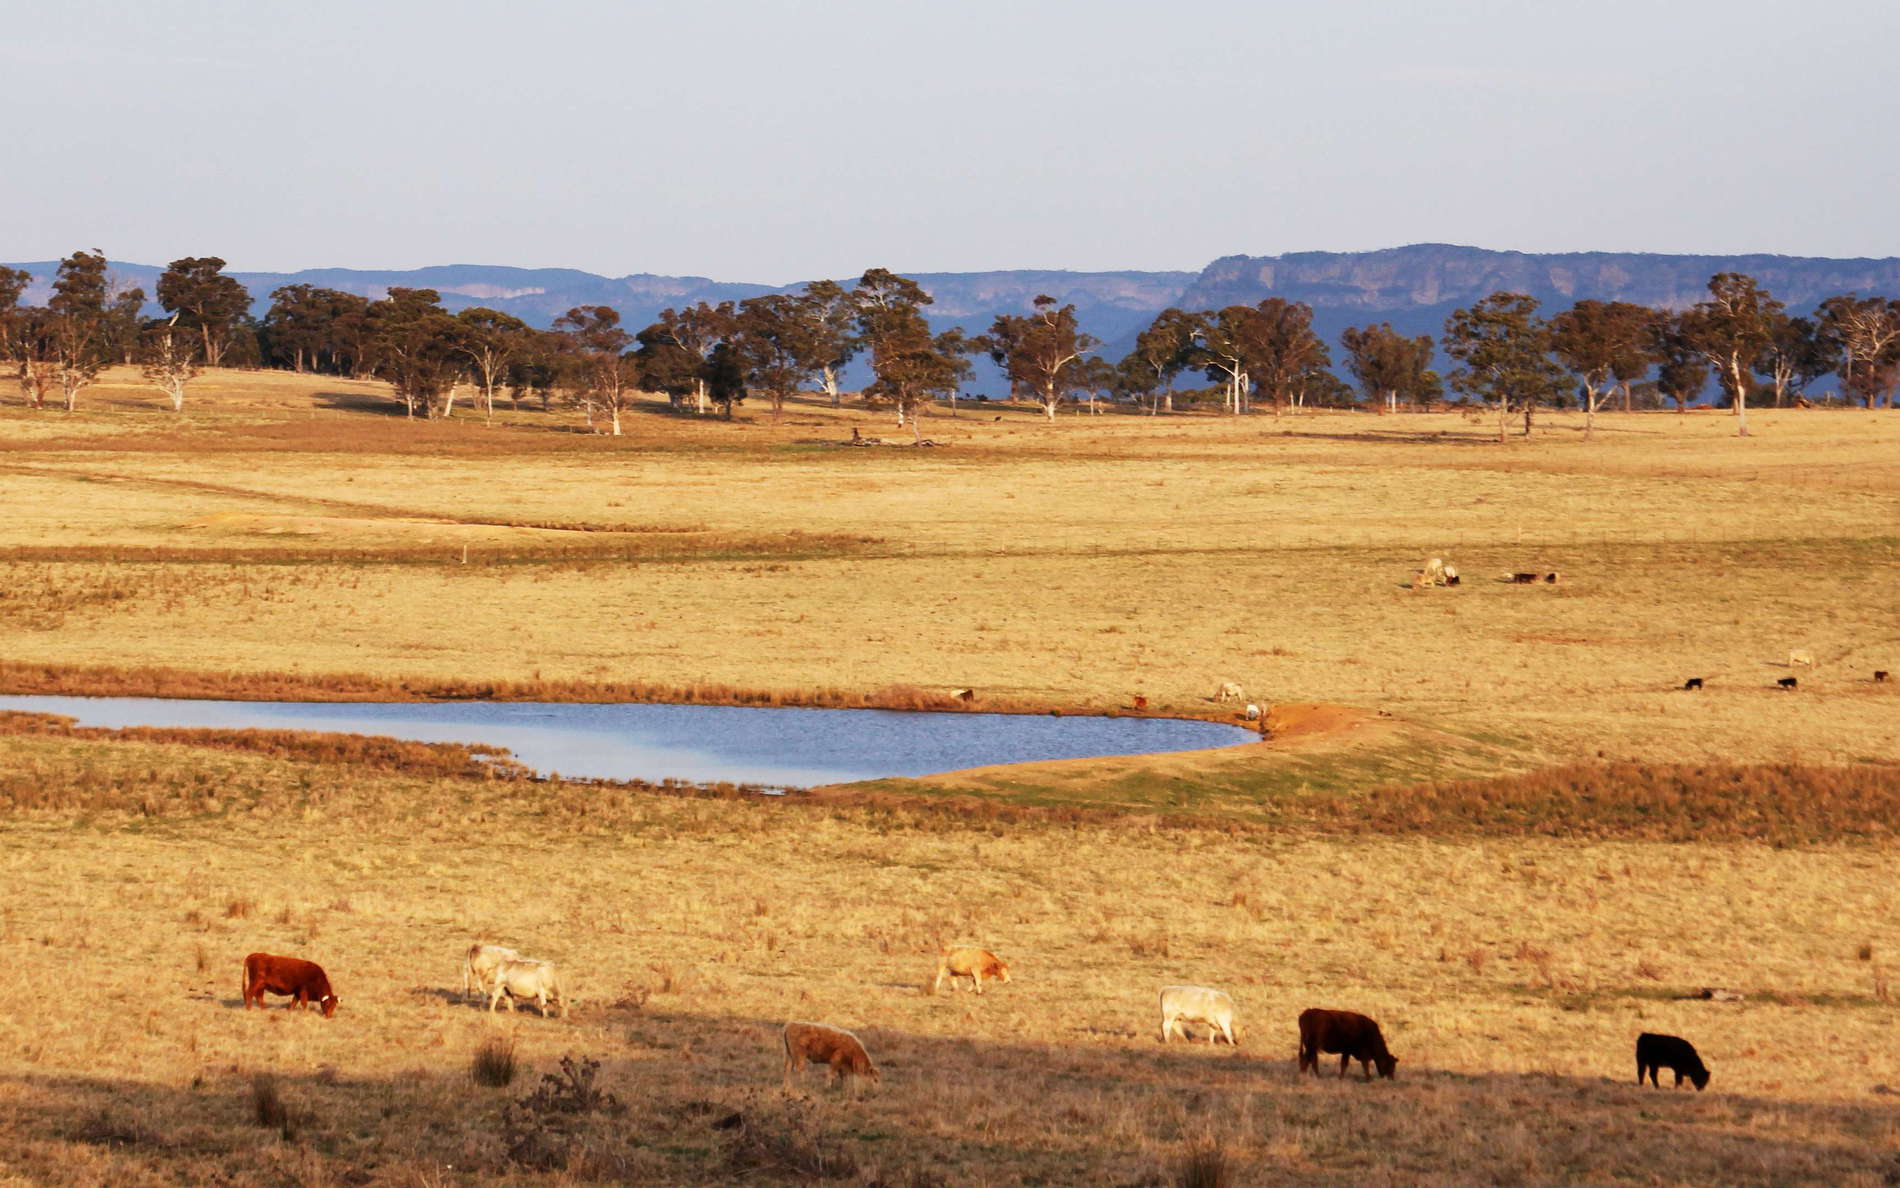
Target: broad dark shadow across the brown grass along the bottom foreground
694	1090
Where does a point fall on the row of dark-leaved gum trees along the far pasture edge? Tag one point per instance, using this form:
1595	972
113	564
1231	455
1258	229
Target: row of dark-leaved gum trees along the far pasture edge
708	358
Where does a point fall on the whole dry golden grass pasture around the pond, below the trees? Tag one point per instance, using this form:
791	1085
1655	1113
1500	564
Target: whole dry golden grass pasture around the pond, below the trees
1589	845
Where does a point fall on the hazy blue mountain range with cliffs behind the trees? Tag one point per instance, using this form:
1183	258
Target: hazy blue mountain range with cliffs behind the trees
1413	288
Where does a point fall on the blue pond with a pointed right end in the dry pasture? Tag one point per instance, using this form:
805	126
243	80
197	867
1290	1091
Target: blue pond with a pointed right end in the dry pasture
704	744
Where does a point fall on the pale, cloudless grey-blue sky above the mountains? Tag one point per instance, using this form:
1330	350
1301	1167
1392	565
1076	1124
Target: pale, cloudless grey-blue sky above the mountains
776	142
